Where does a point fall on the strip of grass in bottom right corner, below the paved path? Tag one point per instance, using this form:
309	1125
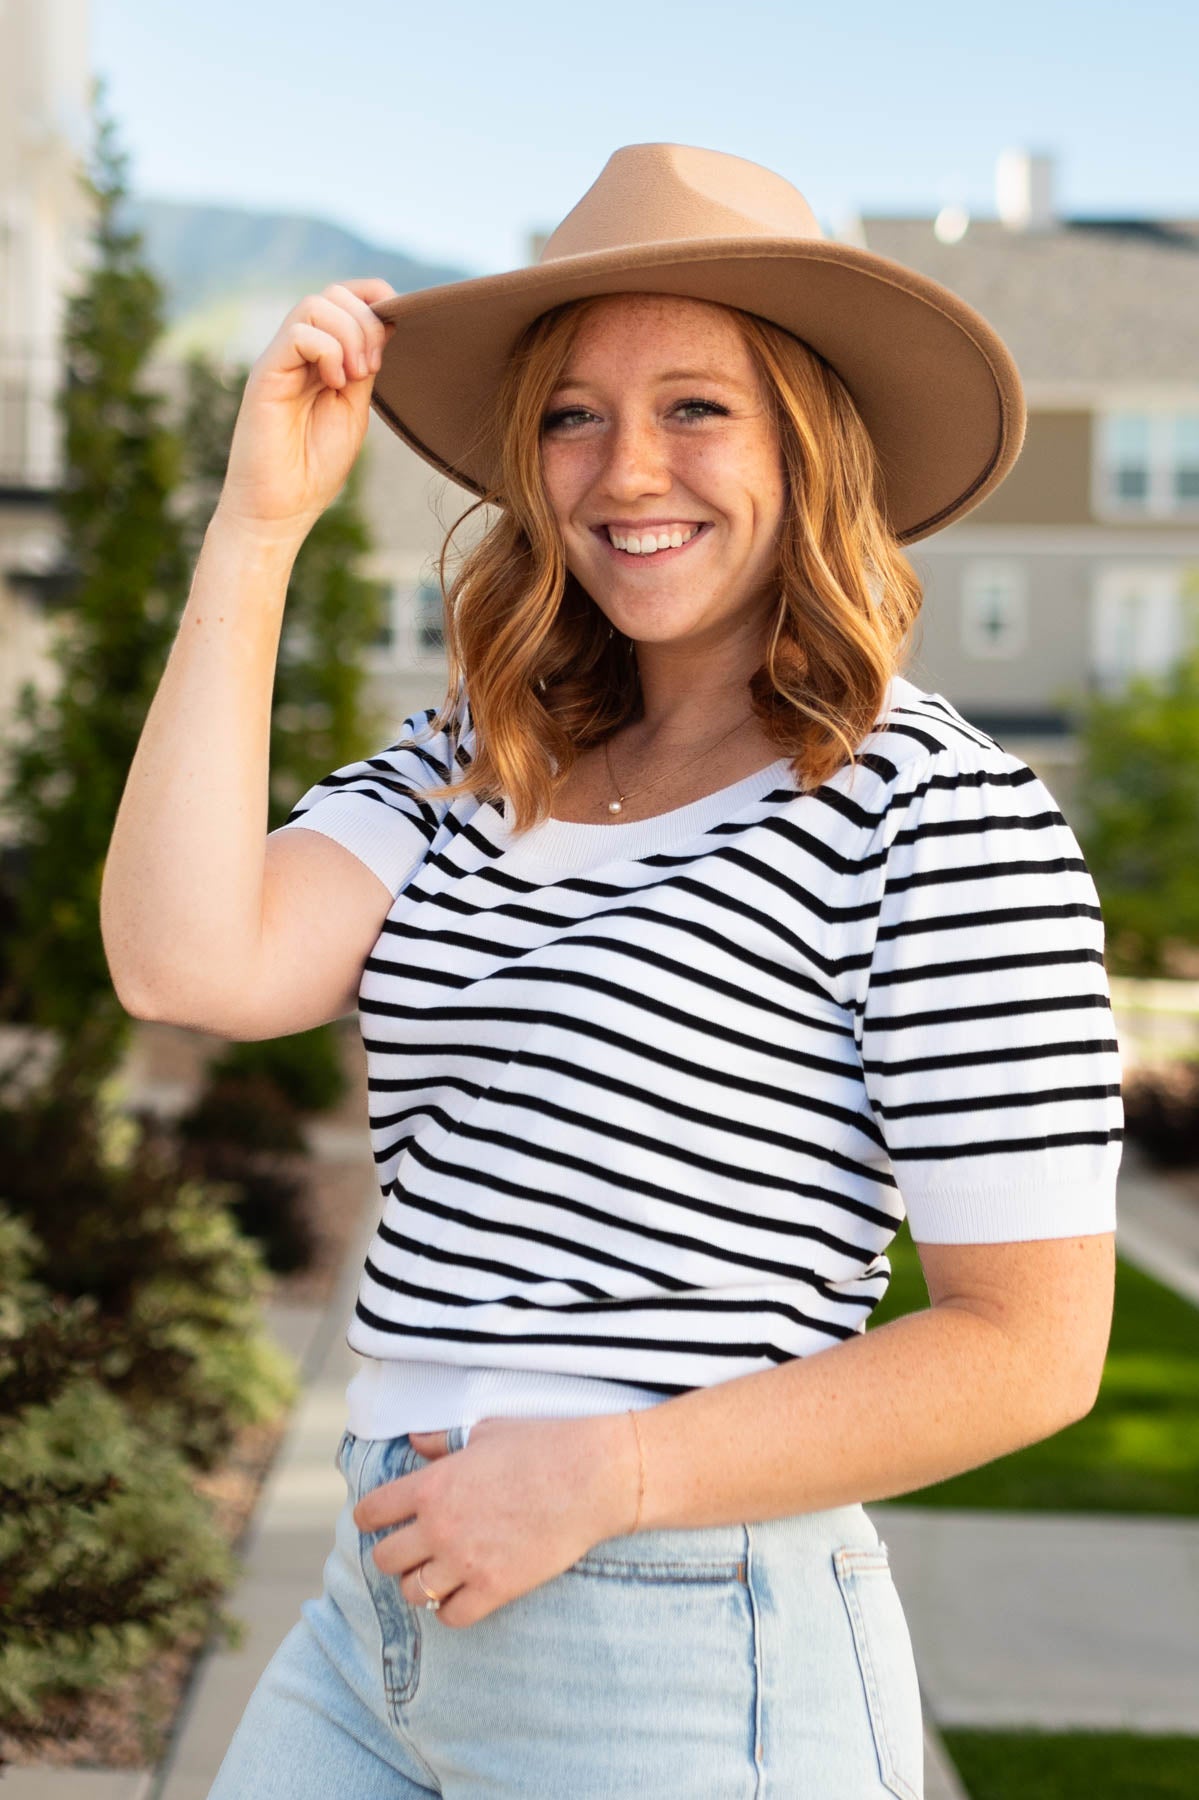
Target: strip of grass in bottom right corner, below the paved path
1063	1767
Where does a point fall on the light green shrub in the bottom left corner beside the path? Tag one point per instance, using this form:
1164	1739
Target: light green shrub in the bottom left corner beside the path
107	1552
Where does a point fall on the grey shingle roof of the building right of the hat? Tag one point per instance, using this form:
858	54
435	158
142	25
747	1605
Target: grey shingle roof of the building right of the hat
1086	300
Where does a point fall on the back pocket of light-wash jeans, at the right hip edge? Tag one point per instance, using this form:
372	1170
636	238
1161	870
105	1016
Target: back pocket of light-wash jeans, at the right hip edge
887	1664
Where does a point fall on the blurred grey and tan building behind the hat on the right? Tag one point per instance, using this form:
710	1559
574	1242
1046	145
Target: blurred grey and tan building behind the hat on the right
1072	573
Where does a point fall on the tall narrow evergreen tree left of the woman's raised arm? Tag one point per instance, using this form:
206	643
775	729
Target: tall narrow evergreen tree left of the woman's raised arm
75	746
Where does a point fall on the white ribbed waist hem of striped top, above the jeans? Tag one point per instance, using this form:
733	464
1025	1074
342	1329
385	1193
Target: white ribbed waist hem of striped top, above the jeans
390	1398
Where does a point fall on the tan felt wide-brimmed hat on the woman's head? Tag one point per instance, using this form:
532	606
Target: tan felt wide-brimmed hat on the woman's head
935	384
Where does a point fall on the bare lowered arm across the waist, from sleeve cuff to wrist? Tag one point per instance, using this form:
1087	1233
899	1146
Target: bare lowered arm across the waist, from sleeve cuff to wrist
1009	1353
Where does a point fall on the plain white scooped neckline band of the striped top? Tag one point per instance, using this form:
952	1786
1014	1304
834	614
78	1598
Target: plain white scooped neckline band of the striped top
570	845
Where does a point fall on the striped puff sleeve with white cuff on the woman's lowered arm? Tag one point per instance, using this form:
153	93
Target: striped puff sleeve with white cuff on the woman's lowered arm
984	1012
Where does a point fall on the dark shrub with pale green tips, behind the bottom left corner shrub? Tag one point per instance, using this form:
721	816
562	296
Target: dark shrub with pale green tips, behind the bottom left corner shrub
116	1218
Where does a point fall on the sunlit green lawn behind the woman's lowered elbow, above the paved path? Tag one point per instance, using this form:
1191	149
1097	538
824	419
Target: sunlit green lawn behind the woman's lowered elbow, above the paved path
1137	1452
